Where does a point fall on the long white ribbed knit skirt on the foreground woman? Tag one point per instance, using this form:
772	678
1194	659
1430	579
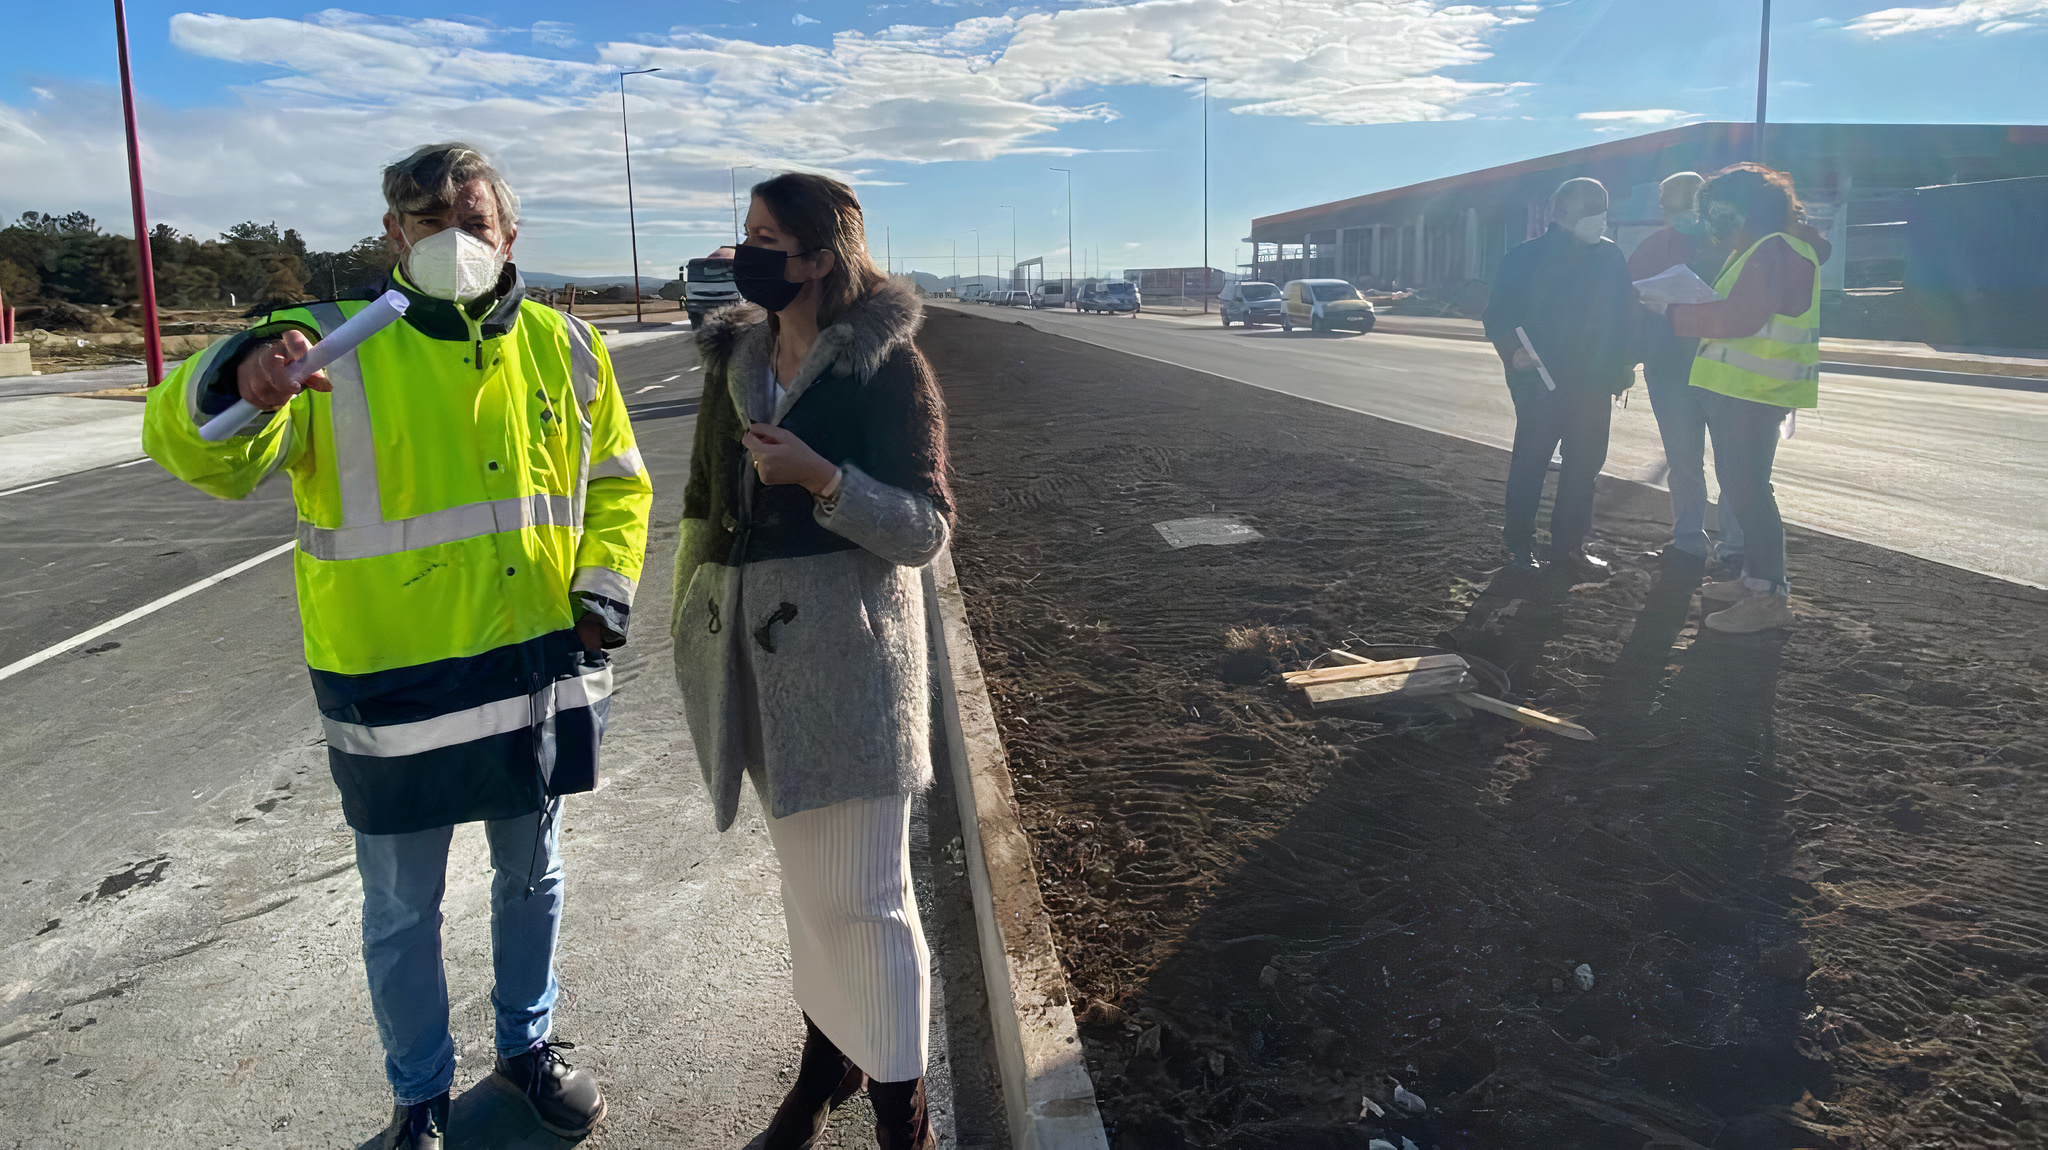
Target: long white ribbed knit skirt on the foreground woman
855	942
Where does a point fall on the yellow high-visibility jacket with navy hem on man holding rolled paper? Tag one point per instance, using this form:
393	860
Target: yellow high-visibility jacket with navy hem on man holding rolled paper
466	494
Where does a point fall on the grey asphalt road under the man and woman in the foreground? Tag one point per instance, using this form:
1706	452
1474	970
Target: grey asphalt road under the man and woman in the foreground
179	912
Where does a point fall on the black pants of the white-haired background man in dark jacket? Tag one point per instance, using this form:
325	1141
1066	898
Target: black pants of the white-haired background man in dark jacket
1574	423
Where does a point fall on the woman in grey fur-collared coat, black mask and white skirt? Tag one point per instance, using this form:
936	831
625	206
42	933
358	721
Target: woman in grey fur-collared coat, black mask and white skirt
818	490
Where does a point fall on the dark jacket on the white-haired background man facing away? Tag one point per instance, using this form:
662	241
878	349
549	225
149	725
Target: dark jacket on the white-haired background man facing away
1576	304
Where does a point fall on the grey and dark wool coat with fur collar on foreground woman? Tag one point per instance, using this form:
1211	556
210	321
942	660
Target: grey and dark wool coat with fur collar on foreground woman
800	625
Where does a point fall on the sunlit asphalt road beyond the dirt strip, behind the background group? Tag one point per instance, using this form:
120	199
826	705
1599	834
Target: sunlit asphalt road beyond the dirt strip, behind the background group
1932	470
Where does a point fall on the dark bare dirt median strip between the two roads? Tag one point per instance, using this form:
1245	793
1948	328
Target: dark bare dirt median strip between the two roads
1793	897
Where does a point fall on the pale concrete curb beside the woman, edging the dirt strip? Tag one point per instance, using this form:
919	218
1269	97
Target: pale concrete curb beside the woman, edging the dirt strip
1048	1094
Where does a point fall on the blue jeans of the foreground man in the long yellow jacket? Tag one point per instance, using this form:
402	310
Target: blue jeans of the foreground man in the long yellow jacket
404	879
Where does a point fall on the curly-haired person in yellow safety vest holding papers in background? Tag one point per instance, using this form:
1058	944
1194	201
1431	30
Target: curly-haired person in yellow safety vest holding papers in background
1758	361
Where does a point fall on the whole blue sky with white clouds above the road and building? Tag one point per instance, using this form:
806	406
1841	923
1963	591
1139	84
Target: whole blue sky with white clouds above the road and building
941	114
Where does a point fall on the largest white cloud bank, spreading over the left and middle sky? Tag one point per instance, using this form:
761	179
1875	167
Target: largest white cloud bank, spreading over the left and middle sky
349	93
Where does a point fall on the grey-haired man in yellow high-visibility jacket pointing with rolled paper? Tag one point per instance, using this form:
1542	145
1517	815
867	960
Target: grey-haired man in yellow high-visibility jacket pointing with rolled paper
472	527
